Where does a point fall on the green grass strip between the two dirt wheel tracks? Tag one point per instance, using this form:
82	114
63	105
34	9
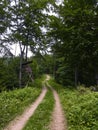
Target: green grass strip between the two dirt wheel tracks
42	116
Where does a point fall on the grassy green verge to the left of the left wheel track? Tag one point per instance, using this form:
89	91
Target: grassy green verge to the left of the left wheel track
14	102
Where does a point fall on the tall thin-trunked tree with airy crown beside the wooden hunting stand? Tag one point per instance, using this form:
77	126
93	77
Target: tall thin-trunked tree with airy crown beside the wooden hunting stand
27	20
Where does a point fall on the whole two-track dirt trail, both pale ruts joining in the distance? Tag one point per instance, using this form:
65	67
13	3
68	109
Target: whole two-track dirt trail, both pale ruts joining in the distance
58	120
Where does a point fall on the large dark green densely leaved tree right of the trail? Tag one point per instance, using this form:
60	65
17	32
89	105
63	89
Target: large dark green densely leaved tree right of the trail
74	30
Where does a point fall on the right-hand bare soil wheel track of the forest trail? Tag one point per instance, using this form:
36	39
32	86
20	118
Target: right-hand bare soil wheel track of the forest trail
58	119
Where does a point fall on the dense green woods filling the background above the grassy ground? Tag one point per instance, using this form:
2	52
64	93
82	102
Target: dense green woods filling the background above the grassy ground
61	35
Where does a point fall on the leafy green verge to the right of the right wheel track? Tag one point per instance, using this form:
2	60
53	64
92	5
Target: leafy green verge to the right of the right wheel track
80	106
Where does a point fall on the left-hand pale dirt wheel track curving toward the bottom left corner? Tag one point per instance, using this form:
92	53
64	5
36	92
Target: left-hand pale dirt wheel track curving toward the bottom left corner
20	122
